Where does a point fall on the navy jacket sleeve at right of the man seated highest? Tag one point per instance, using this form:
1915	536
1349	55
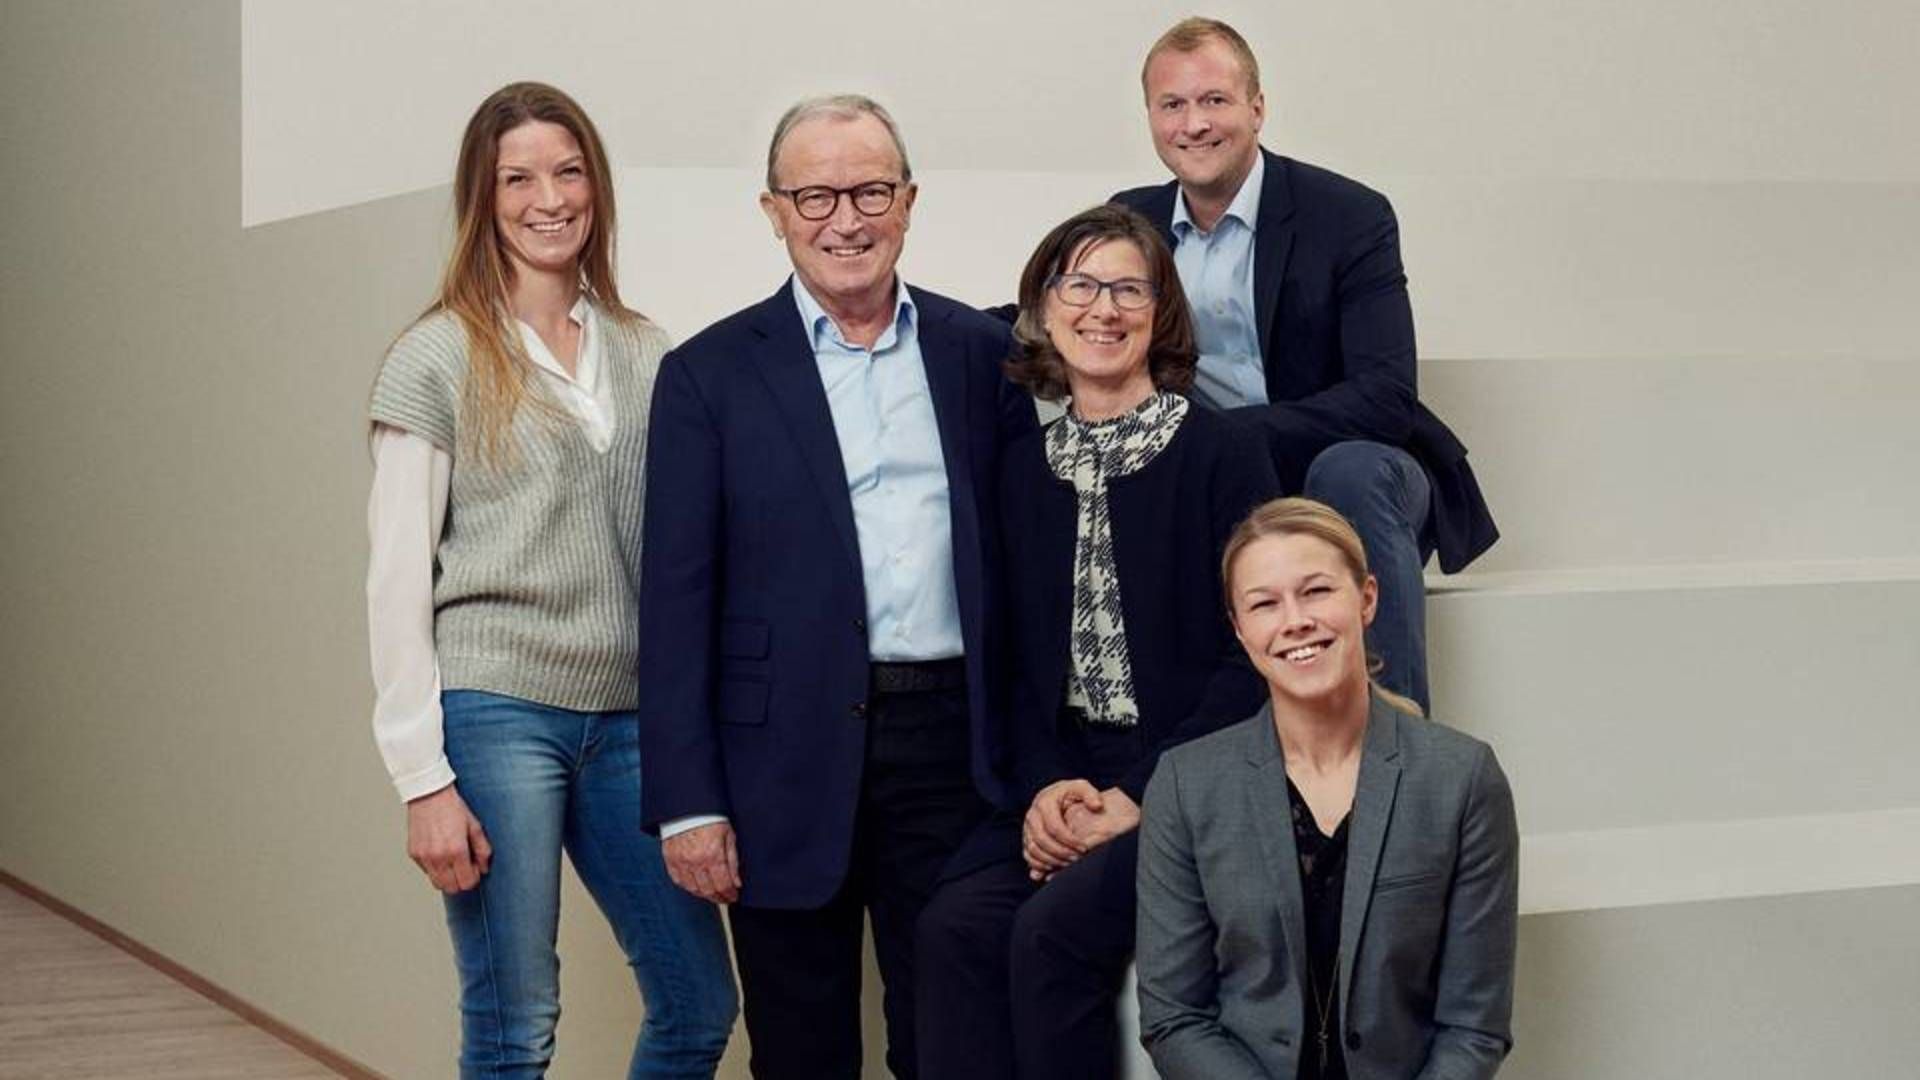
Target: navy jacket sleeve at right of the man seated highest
1378	393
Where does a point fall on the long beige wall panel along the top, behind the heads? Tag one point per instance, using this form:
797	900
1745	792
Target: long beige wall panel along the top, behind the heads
1639	89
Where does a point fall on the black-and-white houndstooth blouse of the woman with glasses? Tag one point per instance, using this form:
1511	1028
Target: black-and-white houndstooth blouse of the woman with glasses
1088	456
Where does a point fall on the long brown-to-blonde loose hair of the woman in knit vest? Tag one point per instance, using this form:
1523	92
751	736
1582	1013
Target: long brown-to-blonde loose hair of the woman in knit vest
479	278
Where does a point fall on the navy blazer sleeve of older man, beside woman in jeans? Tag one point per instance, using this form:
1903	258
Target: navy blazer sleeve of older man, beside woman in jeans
679	604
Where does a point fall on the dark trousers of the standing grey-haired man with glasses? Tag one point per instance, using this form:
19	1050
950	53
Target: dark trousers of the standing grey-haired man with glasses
800	971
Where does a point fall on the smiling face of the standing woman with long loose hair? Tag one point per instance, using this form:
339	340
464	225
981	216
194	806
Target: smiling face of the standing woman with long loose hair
542	199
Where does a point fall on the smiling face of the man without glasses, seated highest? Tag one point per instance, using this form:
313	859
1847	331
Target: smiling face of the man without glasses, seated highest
1207	124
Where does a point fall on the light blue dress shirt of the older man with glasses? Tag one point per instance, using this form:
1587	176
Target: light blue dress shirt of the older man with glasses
898	479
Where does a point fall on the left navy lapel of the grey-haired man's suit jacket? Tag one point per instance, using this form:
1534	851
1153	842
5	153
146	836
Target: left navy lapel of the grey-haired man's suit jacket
786	364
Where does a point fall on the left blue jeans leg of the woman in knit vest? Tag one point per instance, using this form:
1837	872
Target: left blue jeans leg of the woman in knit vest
514	764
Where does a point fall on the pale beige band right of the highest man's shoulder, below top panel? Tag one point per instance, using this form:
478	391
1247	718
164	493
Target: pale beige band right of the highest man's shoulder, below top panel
1656	270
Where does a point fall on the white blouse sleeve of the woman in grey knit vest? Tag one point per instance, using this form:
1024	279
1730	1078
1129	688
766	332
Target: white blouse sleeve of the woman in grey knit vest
404	520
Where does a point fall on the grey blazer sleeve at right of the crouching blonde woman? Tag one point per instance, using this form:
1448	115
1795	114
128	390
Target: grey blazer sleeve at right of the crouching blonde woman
1474	1008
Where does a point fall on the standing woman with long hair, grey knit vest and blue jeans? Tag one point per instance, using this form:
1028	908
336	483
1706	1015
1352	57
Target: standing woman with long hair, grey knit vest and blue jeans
508	441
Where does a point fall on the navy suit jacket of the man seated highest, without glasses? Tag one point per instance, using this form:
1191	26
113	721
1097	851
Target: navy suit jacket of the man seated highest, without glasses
1337	339
